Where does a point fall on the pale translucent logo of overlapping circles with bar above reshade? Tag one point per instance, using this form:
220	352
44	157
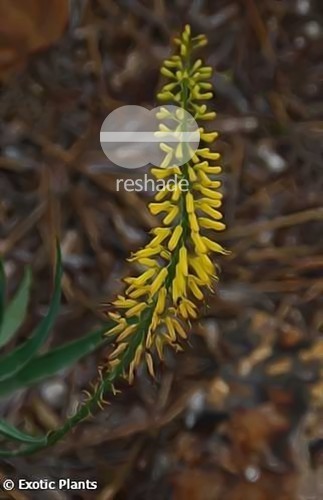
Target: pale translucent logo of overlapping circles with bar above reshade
133	136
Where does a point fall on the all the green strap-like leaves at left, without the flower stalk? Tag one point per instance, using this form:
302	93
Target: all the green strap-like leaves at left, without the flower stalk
24	366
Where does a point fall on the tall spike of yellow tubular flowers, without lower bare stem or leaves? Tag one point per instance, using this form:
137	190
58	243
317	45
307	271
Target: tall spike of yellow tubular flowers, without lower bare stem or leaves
159	304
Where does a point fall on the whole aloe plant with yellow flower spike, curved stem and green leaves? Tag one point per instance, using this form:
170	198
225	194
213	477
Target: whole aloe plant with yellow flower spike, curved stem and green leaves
177	271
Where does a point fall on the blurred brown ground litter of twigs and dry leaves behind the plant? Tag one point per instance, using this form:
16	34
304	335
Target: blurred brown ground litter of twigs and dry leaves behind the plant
237	415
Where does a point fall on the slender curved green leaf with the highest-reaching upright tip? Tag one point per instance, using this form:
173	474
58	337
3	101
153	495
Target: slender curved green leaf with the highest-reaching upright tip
13	362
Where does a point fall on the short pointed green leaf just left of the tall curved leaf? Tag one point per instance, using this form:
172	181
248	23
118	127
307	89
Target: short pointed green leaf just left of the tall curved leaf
14	314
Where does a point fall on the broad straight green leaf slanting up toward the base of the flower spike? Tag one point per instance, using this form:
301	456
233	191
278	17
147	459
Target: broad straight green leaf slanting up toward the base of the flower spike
49	364
